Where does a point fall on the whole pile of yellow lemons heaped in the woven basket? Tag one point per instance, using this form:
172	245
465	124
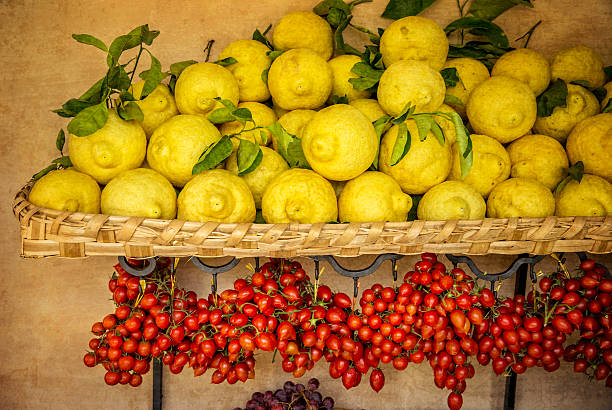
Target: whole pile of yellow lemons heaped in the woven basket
519	158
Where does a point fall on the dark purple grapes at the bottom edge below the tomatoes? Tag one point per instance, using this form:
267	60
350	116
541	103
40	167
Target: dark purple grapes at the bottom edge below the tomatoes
291	397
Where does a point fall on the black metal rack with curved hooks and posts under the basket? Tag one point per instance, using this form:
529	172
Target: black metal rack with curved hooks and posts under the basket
522	266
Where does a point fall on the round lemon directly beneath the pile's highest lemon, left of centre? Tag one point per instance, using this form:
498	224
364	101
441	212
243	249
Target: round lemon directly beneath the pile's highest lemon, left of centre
300	78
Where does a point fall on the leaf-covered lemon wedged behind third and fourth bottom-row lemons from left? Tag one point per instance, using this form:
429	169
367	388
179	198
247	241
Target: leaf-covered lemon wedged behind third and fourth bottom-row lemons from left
272	165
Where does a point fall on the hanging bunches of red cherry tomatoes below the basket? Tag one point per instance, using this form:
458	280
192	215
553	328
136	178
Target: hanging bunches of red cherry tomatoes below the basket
437	315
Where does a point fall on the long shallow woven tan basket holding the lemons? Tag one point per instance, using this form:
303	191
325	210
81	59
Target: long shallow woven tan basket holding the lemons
46	232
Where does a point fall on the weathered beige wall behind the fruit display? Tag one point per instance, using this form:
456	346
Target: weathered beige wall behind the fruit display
49	305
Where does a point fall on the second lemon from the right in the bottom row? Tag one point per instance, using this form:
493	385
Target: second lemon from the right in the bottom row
520	197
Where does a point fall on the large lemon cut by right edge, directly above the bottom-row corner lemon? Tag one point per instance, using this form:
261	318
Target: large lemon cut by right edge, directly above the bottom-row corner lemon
591	142
